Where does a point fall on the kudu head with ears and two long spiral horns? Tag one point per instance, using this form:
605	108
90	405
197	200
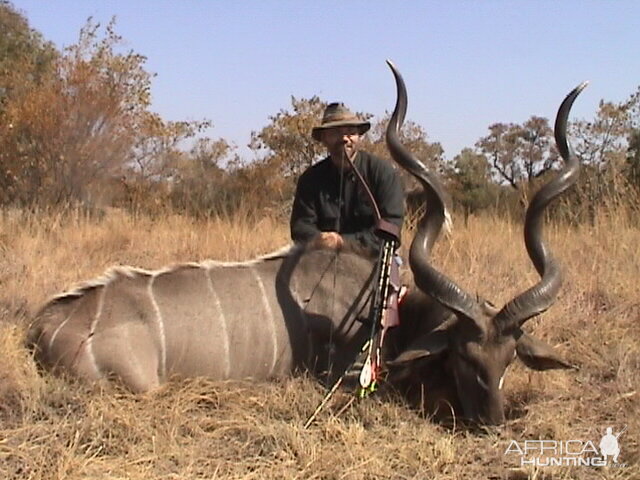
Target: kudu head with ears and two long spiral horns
480	340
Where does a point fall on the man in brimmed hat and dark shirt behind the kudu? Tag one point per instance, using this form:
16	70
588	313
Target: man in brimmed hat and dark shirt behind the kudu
327	217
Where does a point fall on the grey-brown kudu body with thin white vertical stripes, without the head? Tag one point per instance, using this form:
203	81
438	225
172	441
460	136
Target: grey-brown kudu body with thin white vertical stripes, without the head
259	319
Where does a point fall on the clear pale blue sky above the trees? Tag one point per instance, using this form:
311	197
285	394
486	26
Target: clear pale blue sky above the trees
467	64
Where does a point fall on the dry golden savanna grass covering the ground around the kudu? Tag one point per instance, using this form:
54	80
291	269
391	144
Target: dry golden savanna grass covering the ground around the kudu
55	428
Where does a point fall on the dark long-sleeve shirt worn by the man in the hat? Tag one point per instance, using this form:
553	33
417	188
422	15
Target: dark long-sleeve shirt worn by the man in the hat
316	203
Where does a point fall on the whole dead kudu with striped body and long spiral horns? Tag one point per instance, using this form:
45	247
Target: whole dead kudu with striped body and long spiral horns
269	317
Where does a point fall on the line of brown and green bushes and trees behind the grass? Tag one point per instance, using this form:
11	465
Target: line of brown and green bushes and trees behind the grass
76	128
